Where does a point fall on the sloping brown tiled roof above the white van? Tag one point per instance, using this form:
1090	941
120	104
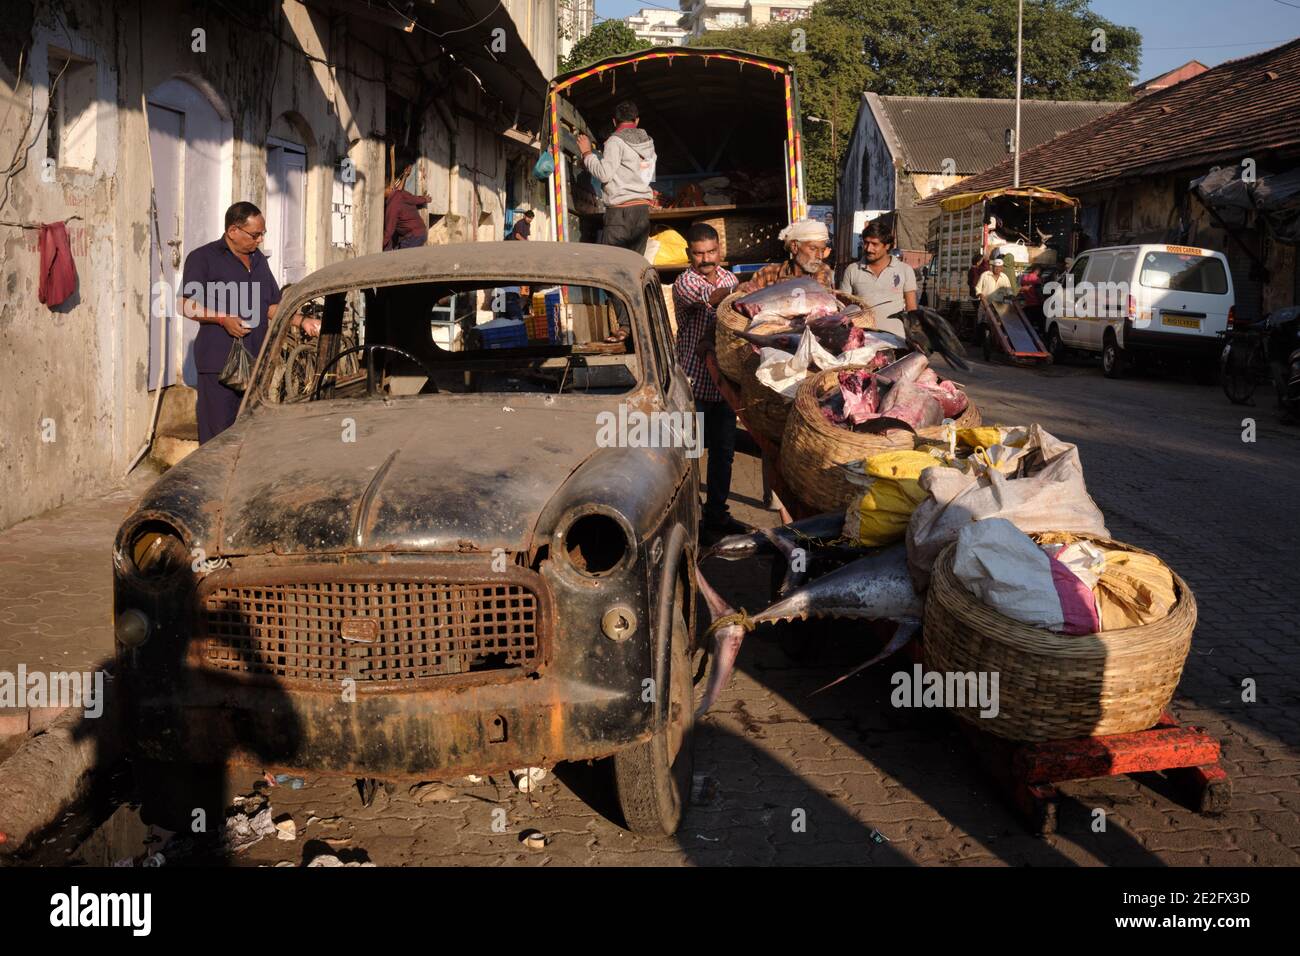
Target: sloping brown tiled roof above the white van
1242	109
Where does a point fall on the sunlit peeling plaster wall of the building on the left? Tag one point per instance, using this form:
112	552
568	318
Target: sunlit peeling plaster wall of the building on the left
84	367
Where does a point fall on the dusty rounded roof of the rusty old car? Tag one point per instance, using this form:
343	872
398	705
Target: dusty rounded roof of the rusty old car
552	263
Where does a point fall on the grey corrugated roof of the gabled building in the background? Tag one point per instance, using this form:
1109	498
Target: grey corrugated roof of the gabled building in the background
972	132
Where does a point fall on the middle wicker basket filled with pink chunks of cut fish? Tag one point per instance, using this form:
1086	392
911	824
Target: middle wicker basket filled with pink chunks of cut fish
813	449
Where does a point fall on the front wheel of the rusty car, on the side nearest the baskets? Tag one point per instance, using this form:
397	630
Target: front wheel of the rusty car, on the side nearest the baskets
653	778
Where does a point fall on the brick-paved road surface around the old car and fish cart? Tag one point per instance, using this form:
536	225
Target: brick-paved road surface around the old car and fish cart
1167	464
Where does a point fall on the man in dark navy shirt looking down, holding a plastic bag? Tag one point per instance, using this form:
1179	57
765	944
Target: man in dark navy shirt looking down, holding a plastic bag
229	289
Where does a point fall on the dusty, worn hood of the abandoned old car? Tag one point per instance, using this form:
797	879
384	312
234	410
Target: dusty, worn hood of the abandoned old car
457	475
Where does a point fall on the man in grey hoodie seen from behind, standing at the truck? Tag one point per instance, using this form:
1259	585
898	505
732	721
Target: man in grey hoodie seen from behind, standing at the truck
626	172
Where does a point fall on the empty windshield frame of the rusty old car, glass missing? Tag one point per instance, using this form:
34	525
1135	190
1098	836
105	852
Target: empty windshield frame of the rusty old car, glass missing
257	395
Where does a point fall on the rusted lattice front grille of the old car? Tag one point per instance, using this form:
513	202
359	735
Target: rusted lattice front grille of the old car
370	631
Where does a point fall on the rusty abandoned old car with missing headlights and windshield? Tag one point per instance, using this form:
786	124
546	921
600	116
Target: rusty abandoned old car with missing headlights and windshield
430	555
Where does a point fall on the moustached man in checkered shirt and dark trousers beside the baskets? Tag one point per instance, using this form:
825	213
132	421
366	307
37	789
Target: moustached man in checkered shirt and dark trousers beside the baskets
696	296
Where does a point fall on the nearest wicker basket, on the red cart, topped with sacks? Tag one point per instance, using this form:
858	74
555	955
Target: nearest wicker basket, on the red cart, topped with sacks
1055	686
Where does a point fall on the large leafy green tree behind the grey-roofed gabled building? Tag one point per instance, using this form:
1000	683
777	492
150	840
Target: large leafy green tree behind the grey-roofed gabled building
937	49
